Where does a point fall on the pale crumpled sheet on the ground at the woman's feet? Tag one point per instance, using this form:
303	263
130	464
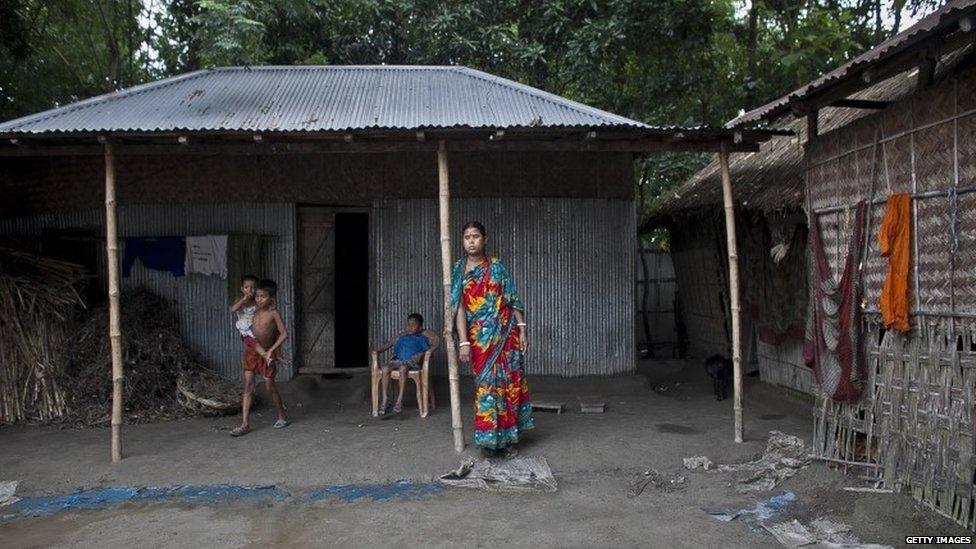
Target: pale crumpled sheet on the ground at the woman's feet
518	474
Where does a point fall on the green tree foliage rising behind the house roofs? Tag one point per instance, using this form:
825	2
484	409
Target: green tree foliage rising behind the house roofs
665	62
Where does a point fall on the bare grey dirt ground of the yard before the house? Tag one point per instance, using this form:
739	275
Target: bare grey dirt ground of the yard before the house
653	420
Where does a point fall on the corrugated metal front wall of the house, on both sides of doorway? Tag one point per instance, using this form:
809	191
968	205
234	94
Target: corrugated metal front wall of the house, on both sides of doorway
573	261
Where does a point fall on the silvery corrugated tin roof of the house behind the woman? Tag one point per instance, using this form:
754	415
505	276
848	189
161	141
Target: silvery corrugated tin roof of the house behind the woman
320	99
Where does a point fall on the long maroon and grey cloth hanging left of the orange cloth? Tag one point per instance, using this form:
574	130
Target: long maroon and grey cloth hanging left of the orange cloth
833	336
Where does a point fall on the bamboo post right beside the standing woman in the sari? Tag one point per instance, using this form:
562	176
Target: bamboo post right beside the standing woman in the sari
452	358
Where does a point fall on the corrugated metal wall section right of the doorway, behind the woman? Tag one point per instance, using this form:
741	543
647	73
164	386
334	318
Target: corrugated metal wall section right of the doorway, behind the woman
572	259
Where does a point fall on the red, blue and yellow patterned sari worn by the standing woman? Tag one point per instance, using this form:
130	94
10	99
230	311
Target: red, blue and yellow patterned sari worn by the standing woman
501	400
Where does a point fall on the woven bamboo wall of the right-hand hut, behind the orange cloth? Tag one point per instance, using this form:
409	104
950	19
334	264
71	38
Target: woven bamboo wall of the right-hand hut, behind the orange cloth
913	427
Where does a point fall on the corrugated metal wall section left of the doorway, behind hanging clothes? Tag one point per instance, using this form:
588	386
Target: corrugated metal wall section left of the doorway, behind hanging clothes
201	300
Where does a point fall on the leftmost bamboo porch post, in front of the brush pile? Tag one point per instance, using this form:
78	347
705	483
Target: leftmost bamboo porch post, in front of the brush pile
114	330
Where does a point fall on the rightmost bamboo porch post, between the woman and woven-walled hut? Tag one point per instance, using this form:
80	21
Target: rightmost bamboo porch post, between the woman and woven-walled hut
734	306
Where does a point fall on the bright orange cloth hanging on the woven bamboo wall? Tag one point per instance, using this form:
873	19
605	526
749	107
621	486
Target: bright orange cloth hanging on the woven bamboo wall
895	239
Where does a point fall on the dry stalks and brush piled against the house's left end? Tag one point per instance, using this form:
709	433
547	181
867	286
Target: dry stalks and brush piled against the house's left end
56	367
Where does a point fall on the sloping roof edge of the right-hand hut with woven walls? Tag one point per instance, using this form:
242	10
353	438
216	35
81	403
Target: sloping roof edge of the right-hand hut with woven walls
939	20
